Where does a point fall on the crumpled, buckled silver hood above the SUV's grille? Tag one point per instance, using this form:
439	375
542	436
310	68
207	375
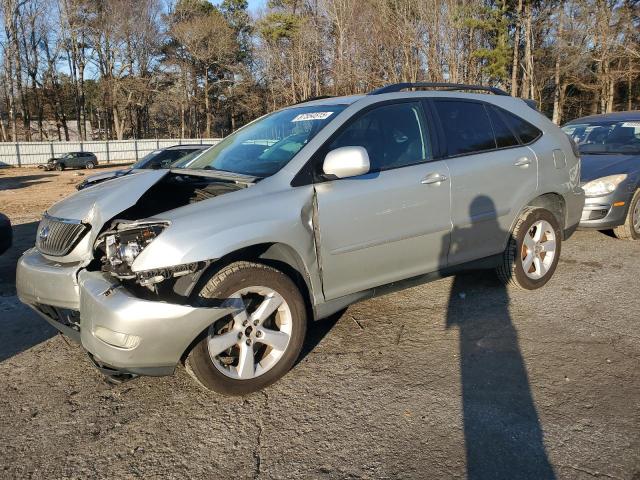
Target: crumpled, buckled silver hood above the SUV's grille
100	203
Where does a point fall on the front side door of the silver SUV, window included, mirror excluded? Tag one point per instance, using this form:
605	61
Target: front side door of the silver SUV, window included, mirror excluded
392	223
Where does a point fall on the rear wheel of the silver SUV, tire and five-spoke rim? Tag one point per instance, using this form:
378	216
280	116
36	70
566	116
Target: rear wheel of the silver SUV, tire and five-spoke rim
533	250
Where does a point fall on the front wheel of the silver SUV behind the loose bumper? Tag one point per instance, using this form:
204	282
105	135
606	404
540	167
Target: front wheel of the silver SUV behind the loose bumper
246	351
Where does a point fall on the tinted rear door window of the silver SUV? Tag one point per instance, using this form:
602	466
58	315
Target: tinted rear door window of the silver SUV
466	126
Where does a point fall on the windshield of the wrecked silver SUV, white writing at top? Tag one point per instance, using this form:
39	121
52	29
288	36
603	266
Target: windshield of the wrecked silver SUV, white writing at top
265	146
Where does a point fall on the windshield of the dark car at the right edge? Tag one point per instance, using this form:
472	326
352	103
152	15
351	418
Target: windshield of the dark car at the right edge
605	137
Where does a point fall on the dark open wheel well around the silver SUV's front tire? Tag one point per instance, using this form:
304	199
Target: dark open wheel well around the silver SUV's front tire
276	255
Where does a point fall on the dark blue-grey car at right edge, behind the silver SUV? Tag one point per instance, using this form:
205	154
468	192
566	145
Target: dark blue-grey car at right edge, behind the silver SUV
610	149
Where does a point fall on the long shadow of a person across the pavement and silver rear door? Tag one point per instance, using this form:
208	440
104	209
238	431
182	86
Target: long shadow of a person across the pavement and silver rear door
502	431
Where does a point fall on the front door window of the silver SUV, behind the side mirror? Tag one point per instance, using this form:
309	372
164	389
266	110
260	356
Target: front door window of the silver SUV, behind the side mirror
394	136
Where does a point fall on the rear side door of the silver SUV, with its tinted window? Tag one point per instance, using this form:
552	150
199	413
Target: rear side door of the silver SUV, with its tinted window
493	175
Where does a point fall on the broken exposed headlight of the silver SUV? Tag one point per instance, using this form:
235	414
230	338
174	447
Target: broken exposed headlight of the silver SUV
124	243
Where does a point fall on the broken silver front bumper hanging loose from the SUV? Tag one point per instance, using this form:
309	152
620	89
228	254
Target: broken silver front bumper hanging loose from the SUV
119	330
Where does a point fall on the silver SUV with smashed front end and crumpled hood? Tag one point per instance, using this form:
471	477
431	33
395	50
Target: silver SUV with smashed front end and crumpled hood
296	216
